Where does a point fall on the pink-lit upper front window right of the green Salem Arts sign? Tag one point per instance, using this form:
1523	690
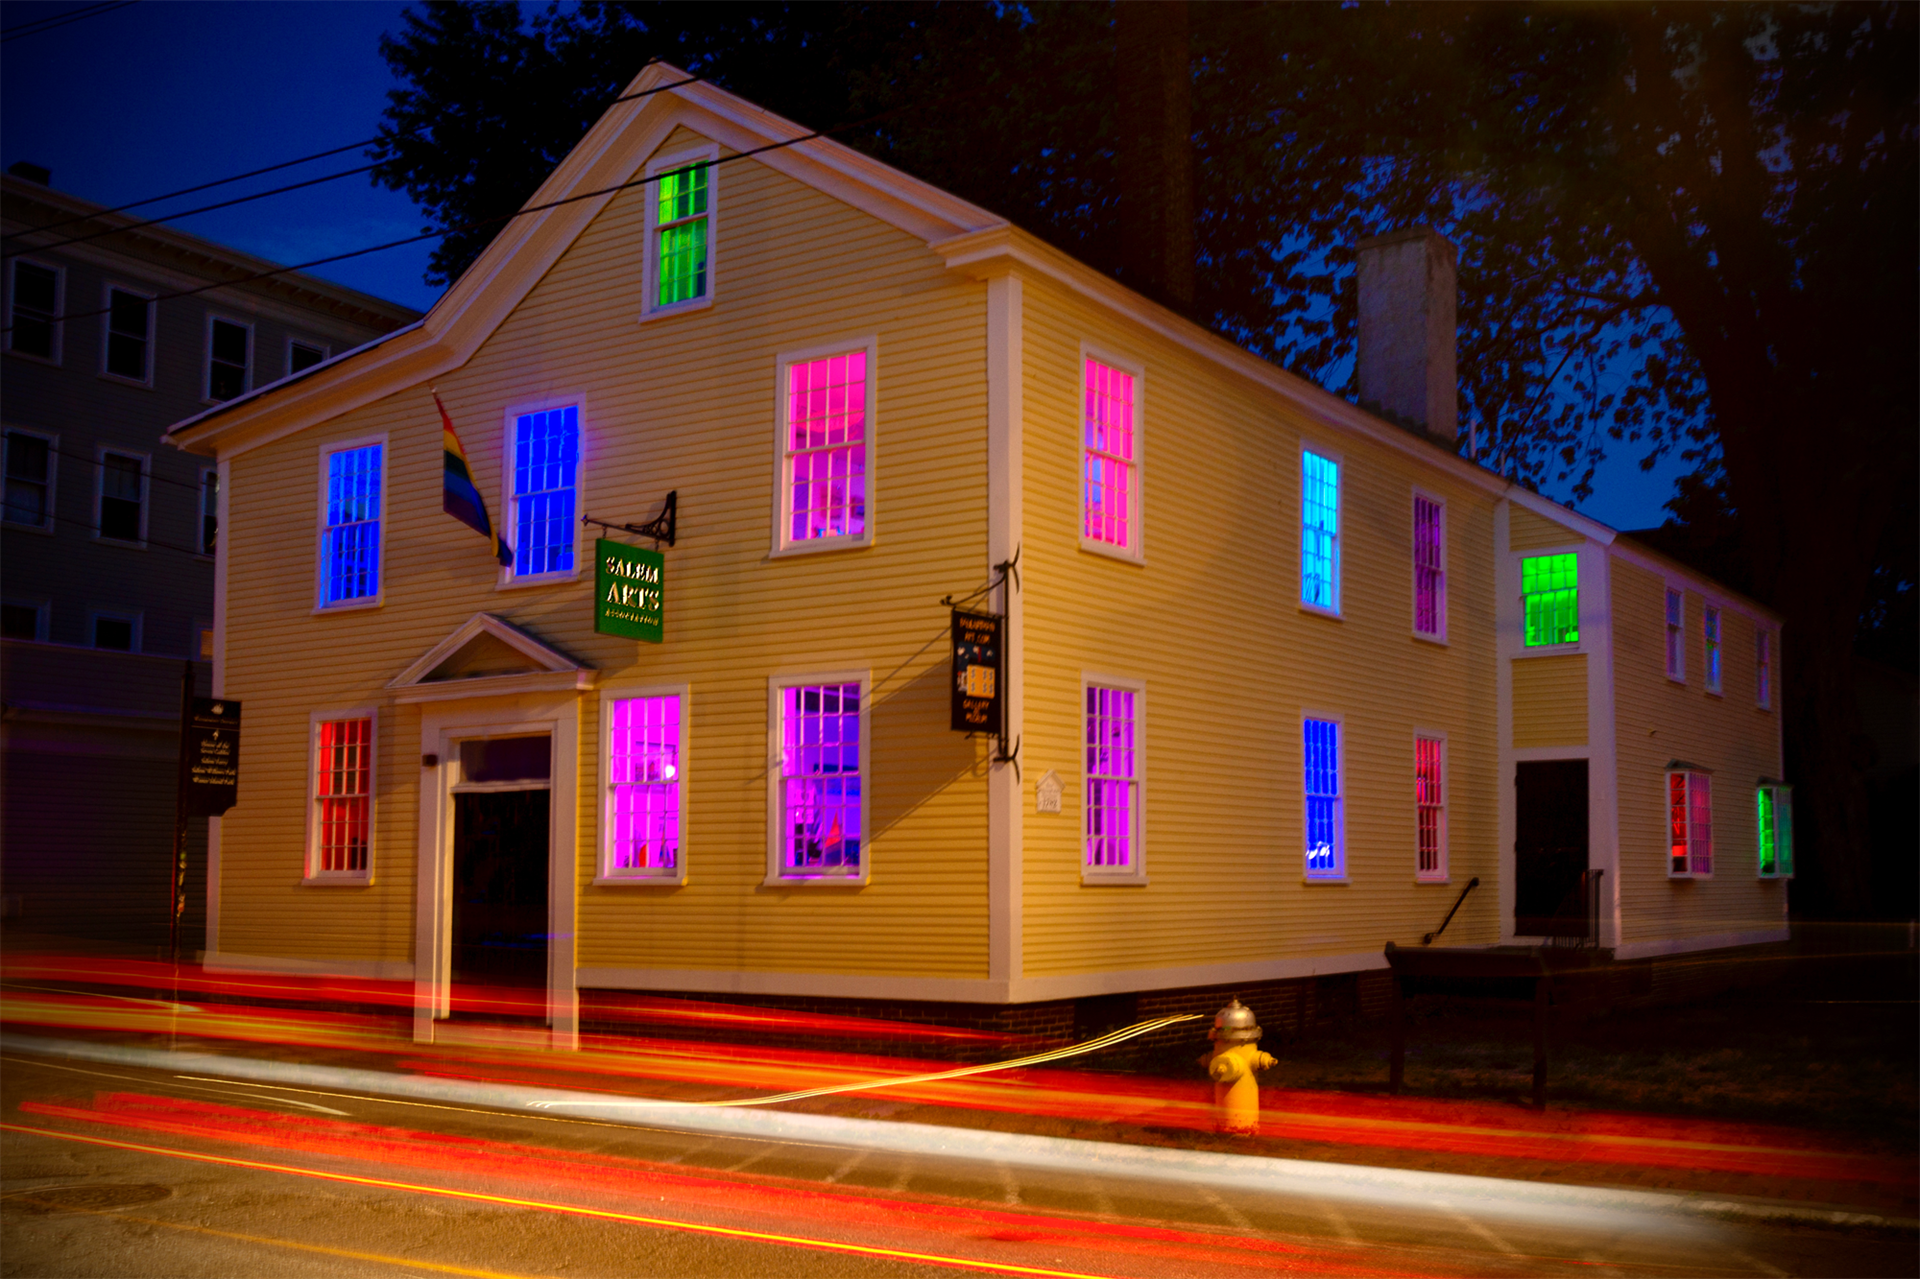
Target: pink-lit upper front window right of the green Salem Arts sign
827	448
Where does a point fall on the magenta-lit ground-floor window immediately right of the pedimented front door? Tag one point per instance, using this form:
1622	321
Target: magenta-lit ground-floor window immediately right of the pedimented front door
644	788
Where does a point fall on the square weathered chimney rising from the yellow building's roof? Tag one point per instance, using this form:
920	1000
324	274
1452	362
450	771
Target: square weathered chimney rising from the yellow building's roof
1406	329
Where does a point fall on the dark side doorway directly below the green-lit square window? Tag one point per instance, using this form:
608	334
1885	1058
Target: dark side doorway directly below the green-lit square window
1550	850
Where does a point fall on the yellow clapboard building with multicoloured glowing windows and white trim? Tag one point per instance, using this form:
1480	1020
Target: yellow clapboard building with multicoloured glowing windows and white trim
1278	677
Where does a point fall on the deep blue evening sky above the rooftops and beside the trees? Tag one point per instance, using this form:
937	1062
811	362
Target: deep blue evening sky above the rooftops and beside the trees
172	93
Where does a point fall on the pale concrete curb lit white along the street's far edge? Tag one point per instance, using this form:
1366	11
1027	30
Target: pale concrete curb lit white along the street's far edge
1245	1172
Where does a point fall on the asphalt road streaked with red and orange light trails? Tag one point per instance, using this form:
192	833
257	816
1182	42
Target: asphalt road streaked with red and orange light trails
137	1174
